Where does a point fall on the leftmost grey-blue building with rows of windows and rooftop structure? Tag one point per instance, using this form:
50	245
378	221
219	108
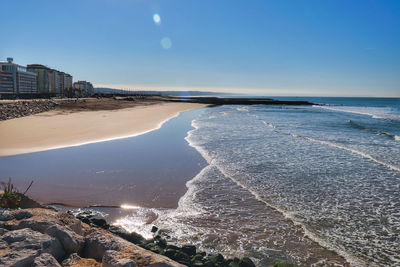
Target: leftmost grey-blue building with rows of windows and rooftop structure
24	81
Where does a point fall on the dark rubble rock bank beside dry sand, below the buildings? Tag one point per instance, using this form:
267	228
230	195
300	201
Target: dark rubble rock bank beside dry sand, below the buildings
16	109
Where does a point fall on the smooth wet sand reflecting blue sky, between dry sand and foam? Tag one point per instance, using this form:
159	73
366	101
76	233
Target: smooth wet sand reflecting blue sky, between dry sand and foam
149	170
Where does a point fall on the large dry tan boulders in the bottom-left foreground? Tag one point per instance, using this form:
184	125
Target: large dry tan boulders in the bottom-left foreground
44	237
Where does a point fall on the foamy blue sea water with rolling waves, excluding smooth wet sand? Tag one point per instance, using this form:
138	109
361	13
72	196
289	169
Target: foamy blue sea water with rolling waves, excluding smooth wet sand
282	180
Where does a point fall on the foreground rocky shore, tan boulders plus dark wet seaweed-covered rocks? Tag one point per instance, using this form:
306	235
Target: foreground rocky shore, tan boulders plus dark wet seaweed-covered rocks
44	237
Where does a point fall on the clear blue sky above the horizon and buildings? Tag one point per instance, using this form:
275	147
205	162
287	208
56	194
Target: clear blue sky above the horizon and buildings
265	47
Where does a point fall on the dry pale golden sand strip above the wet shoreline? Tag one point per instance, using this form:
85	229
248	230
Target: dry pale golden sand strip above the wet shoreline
63	128
